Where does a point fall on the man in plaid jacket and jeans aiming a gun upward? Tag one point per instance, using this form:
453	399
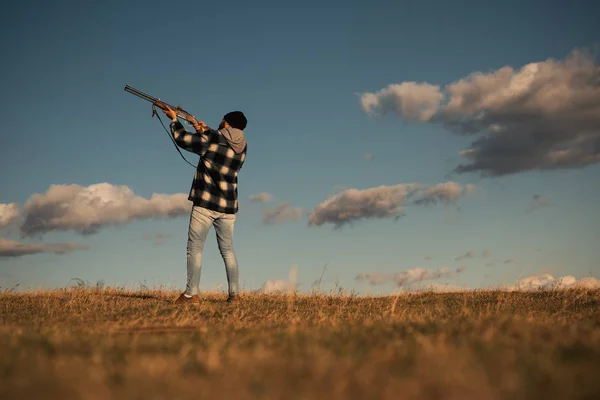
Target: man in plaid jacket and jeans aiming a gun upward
214	193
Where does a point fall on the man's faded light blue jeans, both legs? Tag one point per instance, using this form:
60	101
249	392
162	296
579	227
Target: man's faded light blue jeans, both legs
201	219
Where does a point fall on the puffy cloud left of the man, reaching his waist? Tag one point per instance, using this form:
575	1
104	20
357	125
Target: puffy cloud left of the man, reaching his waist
86	209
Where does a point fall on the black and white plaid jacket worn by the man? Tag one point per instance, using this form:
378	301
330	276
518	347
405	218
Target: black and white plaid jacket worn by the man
215	181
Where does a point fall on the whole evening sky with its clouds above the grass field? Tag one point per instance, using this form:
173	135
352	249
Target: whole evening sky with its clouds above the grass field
390	144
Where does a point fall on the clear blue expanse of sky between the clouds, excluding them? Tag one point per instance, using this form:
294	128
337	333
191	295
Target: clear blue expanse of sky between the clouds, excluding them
298	72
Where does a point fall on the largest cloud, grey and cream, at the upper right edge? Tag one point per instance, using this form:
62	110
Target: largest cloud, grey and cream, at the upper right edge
542	116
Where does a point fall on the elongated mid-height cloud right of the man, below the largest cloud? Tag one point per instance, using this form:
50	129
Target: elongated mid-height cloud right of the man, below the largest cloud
381	202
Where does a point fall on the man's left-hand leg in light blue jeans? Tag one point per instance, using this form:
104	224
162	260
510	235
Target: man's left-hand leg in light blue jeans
200	224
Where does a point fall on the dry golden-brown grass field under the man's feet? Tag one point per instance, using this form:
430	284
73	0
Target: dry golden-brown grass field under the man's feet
110	343
